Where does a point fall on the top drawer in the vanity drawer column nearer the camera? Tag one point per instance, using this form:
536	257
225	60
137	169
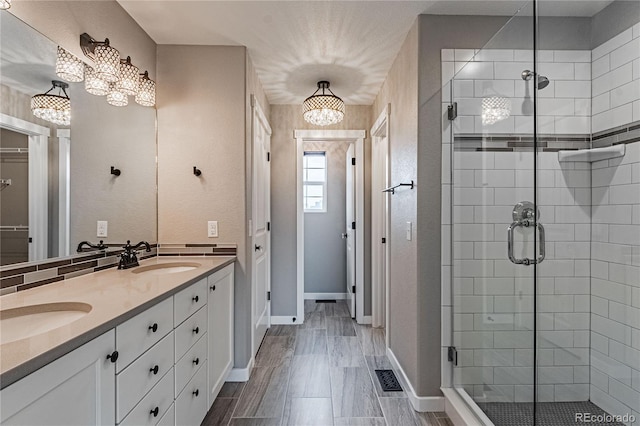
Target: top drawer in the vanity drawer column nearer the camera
142	331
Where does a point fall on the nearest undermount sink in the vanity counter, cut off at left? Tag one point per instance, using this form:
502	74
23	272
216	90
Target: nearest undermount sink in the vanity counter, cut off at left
27	321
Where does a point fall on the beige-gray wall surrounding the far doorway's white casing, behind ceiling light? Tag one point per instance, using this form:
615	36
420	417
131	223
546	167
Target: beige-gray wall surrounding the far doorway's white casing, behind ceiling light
284	120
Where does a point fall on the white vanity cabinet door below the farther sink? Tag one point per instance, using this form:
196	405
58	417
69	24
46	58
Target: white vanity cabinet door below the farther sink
220	309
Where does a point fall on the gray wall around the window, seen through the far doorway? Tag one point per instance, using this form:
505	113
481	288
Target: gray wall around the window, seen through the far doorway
325	266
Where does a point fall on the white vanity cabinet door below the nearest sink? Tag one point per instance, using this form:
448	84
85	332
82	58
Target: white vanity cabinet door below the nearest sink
76	389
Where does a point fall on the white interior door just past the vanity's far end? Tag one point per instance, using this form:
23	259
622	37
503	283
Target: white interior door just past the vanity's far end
261	217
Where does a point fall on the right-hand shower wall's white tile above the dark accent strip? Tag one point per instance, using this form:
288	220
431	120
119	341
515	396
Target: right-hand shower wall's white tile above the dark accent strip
615	68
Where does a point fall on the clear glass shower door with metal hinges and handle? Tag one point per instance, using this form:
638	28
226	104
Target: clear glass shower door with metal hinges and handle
496	238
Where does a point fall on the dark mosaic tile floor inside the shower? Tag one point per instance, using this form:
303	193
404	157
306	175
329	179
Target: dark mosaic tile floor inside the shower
547	414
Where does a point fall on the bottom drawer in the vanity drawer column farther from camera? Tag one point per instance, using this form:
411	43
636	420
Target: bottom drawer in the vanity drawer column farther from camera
191	404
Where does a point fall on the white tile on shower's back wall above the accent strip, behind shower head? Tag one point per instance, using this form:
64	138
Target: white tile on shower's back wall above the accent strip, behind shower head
564	105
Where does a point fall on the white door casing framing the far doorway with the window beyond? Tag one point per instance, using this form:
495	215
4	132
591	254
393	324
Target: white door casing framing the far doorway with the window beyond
352	292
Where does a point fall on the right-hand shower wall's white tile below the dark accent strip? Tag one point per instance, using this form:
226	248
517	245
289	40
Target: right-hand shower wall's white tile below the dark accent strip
615	283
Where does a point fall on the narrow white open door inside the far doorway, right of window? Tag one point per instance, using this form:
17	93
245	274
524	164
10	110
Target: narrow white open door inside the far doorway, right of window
351	232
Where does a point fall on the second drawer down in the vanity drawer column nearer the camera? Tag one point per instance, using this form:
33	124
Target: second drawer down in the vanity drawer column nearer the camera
138	378
